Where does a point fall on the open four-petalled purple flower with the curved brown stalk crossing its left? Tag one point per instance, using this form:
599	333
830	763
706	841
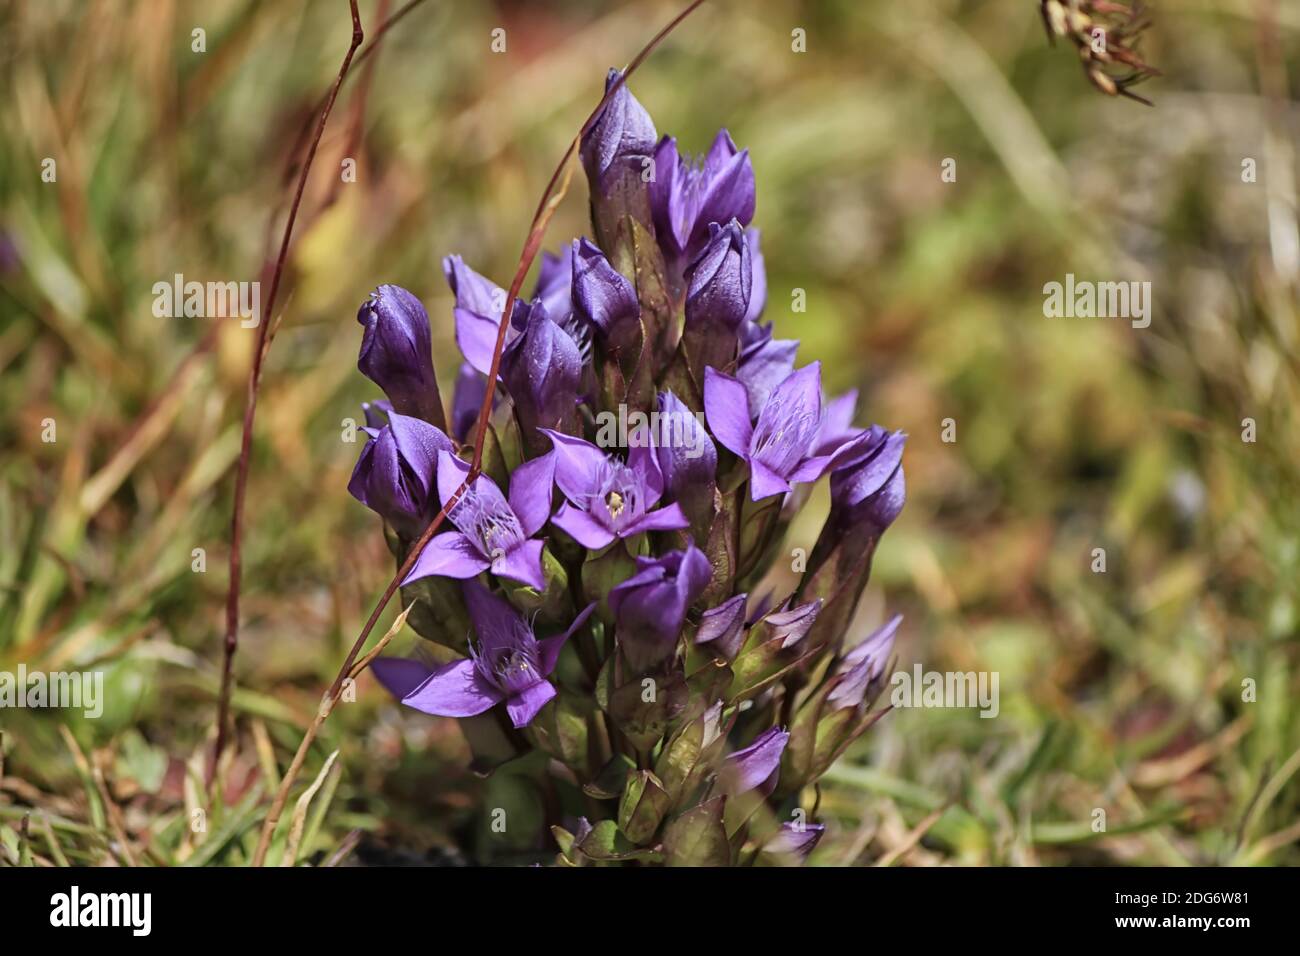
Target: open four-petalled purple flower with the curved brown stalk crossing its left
493	534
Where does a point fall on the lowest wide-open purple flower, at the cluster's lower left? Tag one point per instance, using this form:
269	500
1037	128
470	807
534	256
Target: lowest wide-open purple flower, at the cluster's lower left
509	667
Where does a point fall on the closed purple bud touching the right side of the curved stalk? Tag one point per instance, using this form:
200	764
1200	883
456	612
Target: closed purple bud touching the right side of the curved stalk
543	370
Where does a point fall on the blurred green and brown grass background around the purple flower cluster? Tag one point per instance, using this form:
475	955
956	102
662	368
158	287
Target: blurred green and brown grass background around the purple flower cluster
1120	691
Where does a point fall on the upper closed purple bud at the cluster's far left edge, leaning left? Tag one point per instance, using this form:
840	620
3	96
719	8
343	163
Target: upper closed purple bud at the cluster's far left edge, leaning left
397	353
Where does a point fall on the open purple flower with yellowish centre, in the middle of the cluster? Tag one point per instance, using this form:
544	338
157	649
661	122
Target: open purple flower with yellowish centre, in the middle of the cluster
609	499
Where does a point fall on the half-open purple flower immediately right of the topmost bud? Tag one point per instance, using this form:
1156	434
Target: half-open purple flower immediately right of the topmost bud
688	194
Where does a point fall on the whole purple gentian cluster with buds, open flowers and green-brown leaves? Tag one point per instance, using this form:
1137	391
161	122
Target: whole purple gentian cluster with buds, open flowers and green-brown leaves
612	607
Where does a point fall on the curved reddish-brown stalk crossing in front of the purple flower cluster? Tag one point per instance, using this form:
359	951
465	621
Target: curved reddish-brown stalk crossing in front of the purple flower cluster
551	201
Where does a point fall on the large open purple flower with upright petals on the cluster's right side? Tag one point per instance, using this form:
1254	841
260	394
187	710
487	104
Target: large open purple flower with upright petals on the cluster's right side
783	447
